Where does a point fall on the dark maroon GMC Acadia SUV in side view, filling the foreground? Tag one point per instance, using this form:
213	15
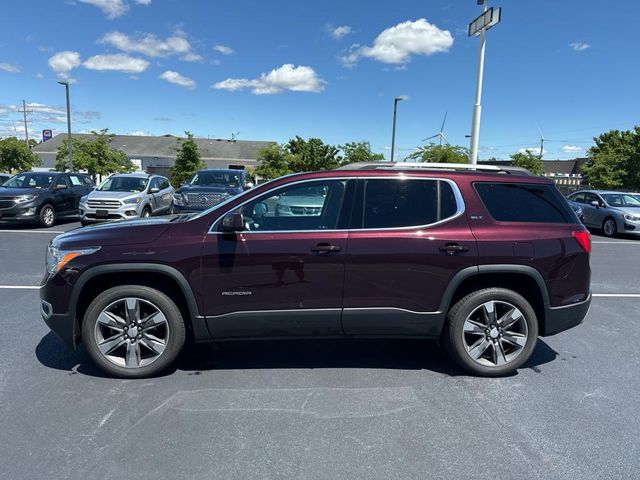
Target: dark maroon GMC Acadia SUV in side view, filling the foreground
482	258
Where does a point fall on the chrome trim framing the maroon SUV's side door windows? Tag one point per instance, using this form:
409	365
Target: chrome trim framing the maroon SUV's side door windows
460	206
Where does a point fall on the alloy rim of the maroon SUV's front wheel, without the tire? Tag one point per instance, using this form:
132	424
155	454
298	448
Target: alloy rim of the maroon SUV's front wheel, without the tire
131	332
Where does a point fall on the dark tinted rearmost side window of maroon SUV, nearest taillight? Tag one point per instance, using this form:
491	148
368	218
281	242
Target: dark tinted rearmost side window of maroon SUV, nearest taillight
518	202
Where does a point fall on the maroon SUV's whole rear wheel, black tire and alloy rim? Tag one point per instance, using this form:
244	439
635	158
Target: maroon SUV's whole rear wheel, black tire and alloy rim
491	332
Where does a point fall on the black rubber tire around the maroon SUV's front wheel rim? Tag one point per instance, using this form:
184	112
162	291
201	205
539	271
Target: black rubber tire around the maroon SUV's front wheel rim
174	324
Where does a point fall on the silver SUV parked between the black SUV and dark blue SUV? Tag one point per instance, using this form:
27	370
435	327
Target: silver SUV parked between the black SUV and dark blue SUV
124	196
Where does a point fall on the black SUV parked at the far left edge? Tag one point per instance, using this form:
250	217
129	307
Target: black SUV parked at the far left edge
42	197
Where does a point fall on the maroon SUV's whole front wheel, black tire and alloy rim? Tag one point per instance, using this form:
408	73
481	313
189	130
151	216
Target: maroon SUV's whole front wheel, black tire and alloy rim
133	331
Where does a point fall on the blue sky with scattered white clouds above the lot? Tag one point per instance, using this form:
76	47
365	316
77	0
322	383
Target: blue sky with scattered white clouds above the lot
275	69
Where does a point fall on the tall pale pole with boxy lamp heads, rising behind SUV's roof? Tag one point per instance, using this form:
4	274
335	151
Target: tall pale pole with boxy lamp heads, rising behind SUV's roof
479	26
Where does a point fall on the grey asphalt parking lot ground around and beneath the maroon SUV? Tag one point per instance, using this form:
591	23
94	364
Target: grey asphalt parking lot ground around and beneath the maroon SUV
322	409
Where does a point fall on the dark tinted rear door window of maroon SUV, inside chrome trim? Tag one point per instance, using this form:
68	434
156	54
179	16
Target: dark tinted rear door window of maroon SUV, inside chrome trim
402	203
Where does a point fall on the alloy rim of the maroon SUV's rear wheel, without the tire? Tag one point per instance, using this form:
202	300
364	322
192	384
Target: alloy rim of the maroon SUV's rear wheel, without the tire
495	333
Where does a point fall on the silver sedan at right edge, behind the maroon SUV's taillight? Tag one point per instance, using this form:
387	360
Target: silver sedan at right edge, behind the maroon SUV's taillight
612	212
